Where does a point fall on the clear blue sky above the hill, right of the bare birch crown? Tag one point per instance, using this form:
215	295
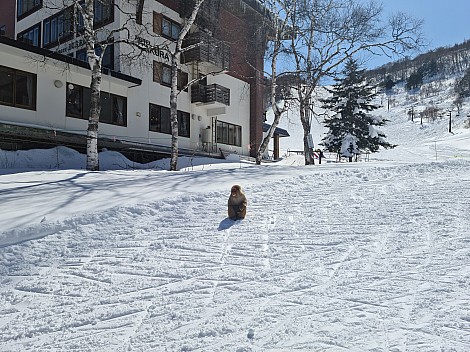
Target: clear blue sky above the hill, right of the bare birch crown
446	22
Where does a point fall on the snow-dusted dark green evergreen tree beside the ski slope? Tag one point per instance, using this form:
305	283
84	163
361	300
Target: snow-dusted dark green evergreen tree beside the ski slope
352	130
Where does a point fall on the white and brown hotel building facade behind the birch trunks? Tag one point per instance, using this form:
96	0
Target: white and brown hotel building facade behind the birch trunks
45	79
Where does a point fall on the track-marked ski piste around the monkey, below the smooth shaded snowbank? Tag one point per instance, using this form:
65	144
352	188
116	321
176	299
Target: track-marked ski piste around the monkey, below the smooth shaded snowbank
363	260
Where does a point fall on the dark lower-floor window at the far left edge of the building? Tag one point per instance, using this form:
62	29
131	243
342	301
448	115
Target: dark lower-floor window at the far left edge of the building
17	88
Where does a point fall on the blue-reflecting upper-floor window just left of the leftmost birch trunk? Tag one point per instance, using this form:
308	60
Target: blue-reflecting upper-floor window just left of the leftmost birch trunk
58	28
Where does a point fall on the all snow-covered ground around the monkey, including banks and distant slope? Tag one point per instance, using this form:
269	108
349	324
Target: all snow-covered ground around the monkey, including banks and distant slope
369	256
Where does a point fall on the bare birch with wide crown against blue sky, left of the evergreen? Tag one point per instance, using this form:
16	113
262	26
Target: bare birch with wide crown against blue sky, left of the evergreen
328	32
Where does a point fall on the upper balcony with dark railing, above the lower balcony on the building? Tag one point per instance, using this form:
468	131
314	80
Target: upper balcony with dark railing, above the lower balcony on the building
206	49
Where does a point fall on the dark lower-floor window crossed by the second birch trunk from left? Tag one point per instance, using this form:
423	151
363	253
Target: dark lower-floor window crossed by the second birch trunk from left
160	121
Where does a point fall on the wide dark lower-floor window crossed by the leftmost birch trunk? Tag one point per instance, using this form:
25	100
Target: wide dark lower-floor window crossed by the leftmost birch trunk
113	107
